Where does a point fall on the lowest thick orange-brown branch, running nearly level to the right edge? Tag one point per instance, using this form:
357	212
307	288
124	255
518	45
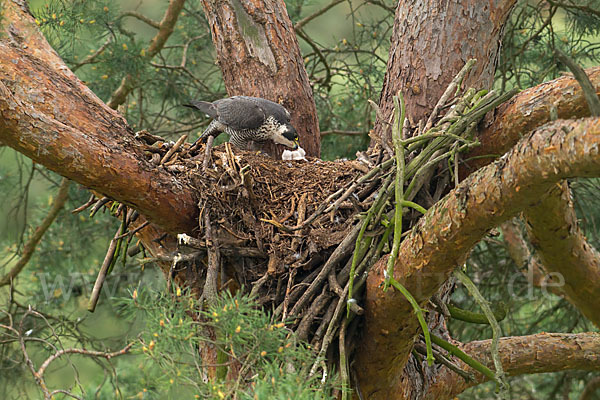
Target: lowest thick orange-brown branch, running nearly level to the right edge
543	352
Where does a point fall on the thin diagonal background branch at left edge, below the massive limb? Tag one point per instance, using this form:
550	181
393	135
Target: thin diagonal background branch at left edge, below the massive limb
29	248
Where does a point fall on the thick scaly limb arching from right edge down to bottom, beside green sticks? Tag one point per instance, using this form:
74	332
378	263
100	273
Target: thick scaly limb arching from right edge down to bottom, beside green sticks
442	239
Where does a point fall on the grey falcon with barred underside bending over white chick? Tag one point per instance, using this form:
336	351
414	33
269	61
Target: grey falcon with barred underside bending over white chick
247	119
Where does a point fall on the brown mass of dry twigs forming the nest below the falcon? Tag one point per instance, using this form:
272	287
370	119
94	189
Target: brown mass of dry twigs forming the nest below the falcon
259	203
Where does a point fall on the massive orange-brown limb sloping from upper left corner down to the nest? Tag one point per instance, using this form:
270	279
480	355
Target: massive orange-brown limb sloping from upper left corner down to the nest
50	116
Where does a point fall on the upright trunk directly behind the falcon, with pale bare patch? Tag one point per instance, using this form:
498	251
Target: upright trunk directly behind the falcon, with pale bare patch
258	53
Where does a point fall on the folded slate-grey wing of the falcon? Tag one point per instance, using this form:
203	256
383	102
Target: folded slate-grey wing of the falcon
239	112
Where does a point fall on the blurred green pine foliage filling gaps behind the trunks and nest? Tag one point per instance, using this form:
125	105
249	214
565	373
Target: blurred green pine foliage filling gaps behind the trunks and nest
345	52
